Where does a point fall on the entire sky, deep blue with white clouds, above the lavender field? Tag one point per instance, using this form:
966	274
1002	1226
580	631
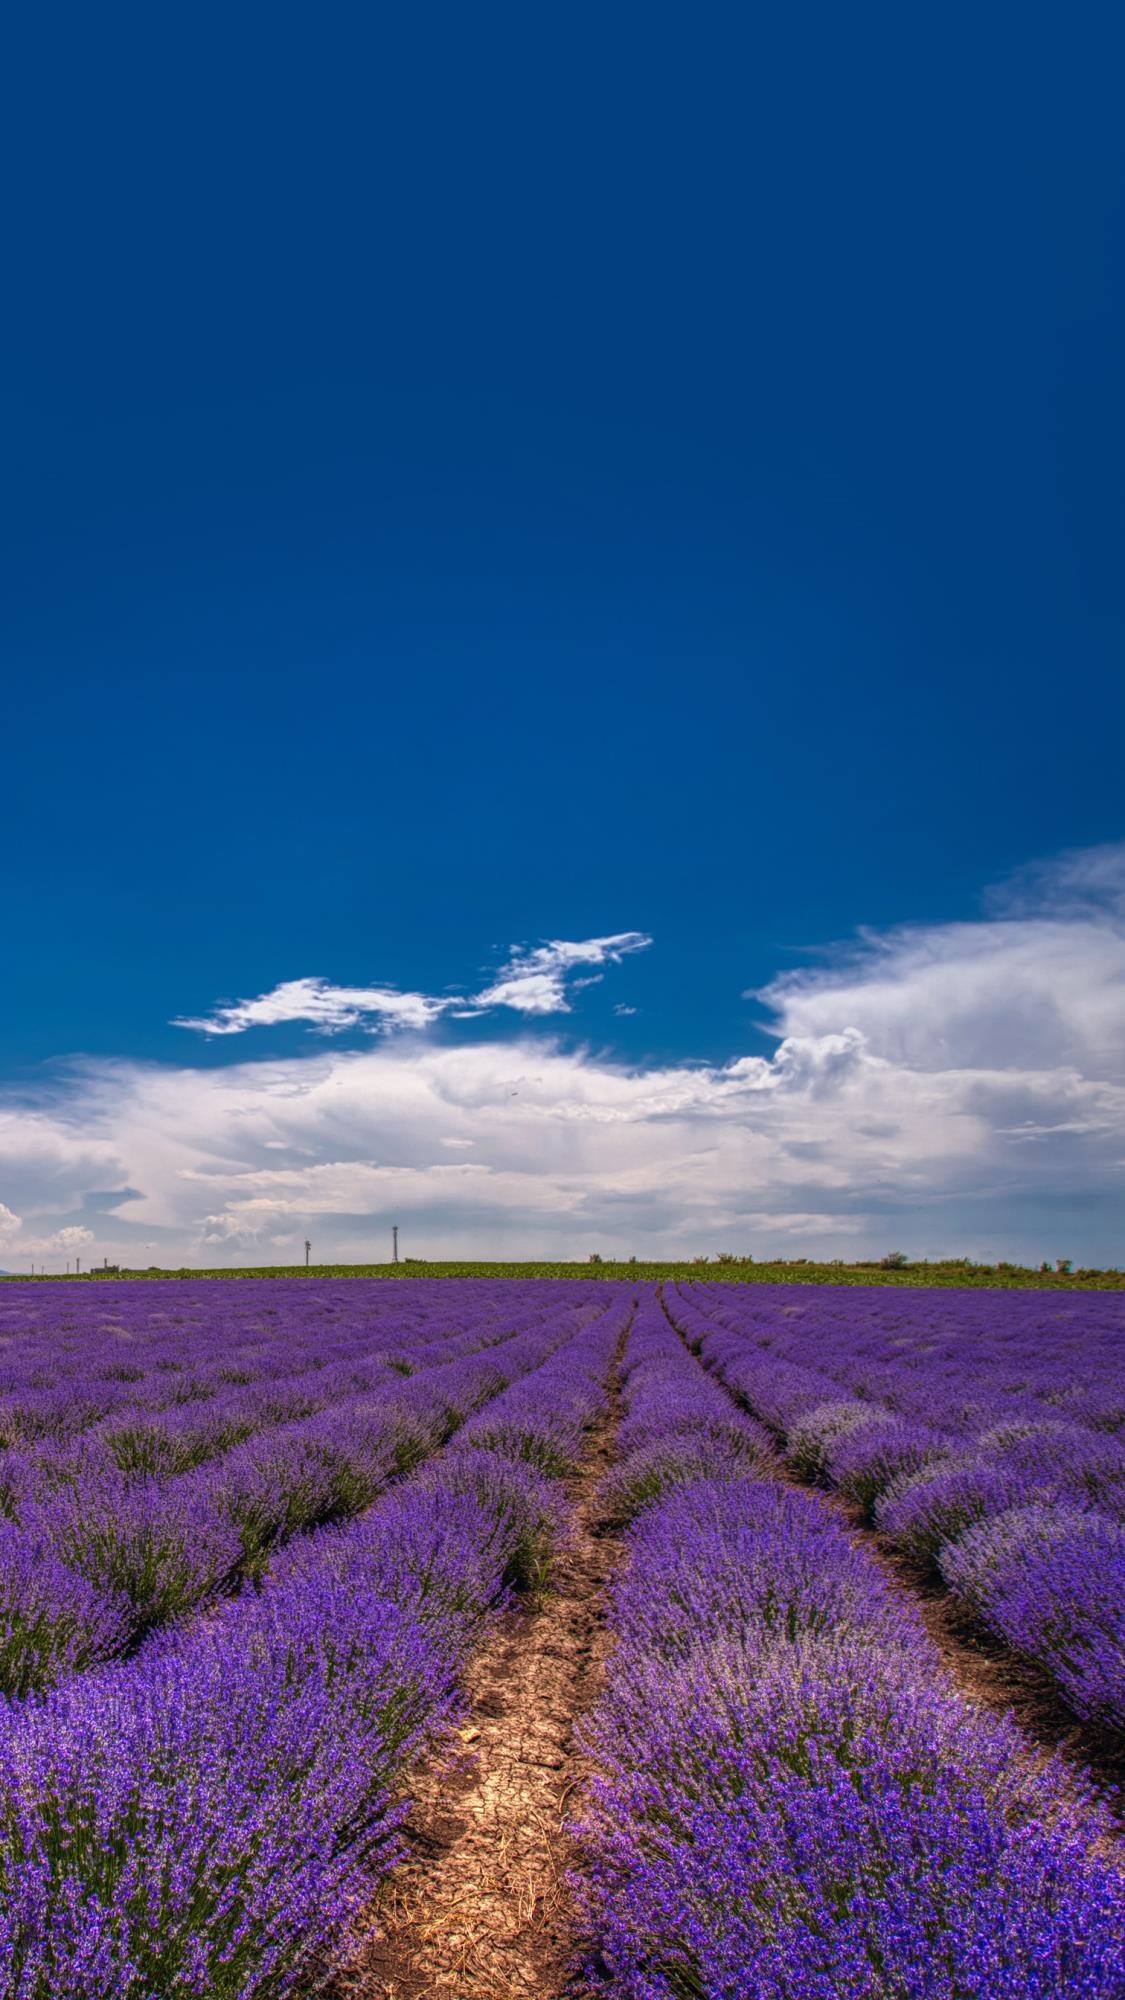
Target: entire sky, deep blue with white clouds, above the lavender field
477	483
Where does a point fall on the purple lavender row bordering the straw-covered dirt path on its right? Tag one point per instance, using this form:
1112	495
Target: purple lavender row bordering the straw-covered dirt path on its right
794	1805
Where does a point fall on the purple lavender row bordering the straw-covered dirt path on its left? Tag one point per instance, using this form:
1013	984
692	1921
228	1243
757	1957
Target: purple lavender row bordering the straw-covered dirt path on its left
211	1815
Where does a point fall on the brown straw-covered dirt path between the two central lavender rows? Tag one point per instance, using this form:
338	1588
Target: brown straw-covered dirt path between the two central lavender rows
481	1911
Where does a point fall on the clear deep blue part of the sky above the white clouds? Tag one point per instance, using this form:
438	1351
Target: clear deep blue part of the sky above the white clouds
487	475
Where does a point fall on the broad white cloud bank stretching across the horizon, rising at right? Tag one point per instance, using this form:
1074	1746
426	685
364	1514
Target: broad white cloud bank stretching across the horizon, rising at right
934	1089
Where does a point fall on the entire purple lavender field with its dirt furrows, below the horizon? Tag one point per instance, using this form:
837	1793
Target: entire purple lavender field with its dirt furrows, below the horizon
295	1573
